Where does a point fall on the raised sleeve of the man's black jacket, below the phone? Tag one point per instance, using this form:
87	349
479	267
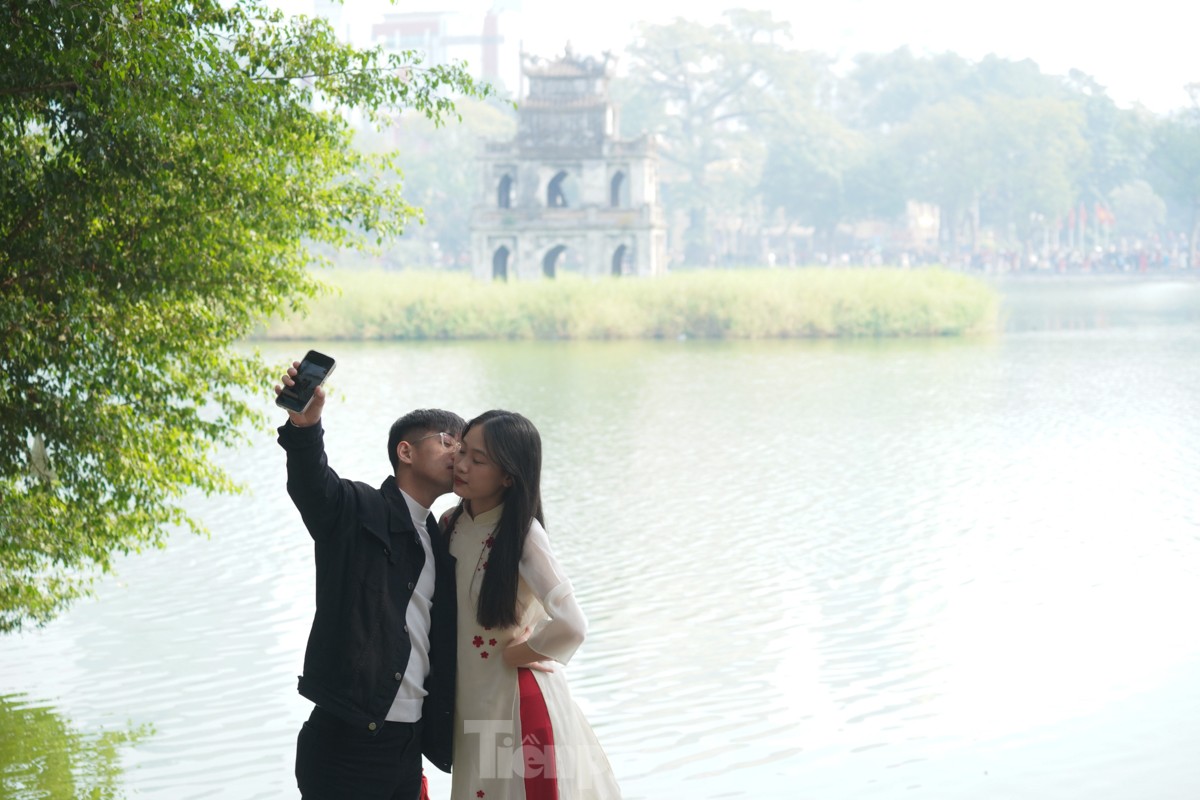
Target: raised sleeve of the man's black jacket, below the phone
323	500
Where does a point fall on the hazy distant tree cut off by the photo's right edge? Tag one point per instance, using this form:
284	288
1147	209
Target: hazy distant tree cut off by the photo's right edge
1175	169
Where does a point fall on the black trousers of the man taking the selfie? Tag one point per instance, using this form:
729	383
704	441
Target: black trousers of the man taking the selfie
337	761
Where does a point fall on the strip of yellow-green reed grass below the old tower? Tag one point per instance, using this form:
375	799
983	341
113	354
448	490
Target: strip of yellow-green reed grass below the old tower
729	304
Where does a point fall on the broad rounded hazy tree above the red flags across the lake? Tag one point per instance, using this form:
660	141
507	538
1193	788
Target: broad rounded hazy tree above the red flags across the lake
995	145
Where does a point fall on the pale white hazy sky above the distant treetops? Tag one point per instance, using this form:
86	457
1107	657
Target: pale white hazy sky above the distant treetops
1142	52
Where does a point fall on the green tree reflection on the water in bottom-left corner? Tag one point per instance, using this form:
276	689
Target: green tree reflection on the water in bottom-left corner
43	756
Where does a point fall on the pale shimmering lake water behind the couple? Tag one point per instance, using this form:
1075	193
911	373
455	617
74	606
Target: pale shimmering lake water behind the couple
830	570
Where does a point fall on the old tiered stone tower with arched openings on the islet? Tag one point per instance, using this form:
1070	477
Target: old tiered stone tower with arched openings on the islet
567	194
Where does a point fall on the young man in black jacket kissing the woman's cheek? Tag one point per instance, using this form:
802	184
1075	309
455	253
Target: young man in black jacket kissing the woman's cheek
381	658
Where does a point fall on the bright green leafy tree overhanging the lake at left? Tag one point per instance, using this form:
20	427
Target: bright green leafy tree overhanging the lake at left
165	167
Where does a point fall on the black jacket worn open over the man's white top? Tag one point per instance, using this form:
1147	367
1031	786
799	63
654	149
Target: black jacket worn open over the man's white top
369	558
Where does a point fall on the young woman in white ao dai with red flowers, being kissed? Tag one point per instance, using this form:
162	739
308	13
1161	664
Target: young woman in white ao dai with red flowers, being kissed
518	733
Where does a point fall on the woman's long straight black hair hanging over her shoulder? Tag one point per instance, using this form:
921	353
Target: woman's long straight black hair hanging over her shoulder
515	447
